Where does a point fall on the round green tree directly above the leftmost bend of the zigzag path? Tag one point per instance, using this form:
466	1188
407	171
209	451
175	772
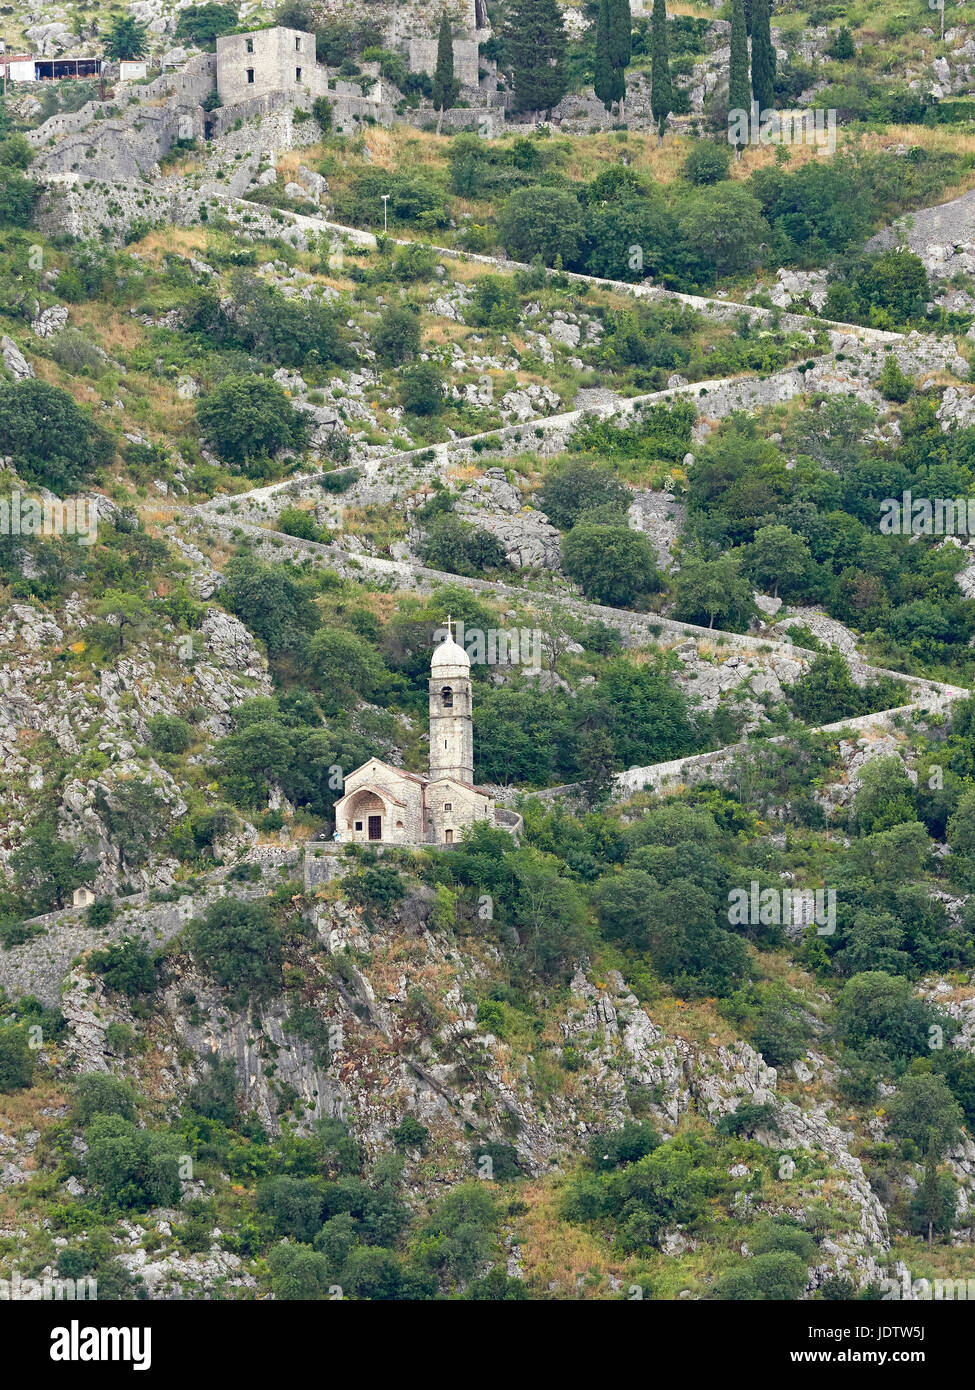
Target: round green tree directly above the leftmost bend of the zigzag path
250	418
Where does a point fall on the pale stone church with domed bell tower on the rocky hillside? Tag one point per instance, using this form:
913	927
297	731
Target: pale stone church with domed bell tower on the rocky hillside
387	806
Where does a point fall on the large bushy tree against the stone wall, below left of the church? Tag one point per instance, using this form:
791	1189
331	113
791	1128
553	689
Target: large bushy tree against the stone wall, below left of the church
241	949
